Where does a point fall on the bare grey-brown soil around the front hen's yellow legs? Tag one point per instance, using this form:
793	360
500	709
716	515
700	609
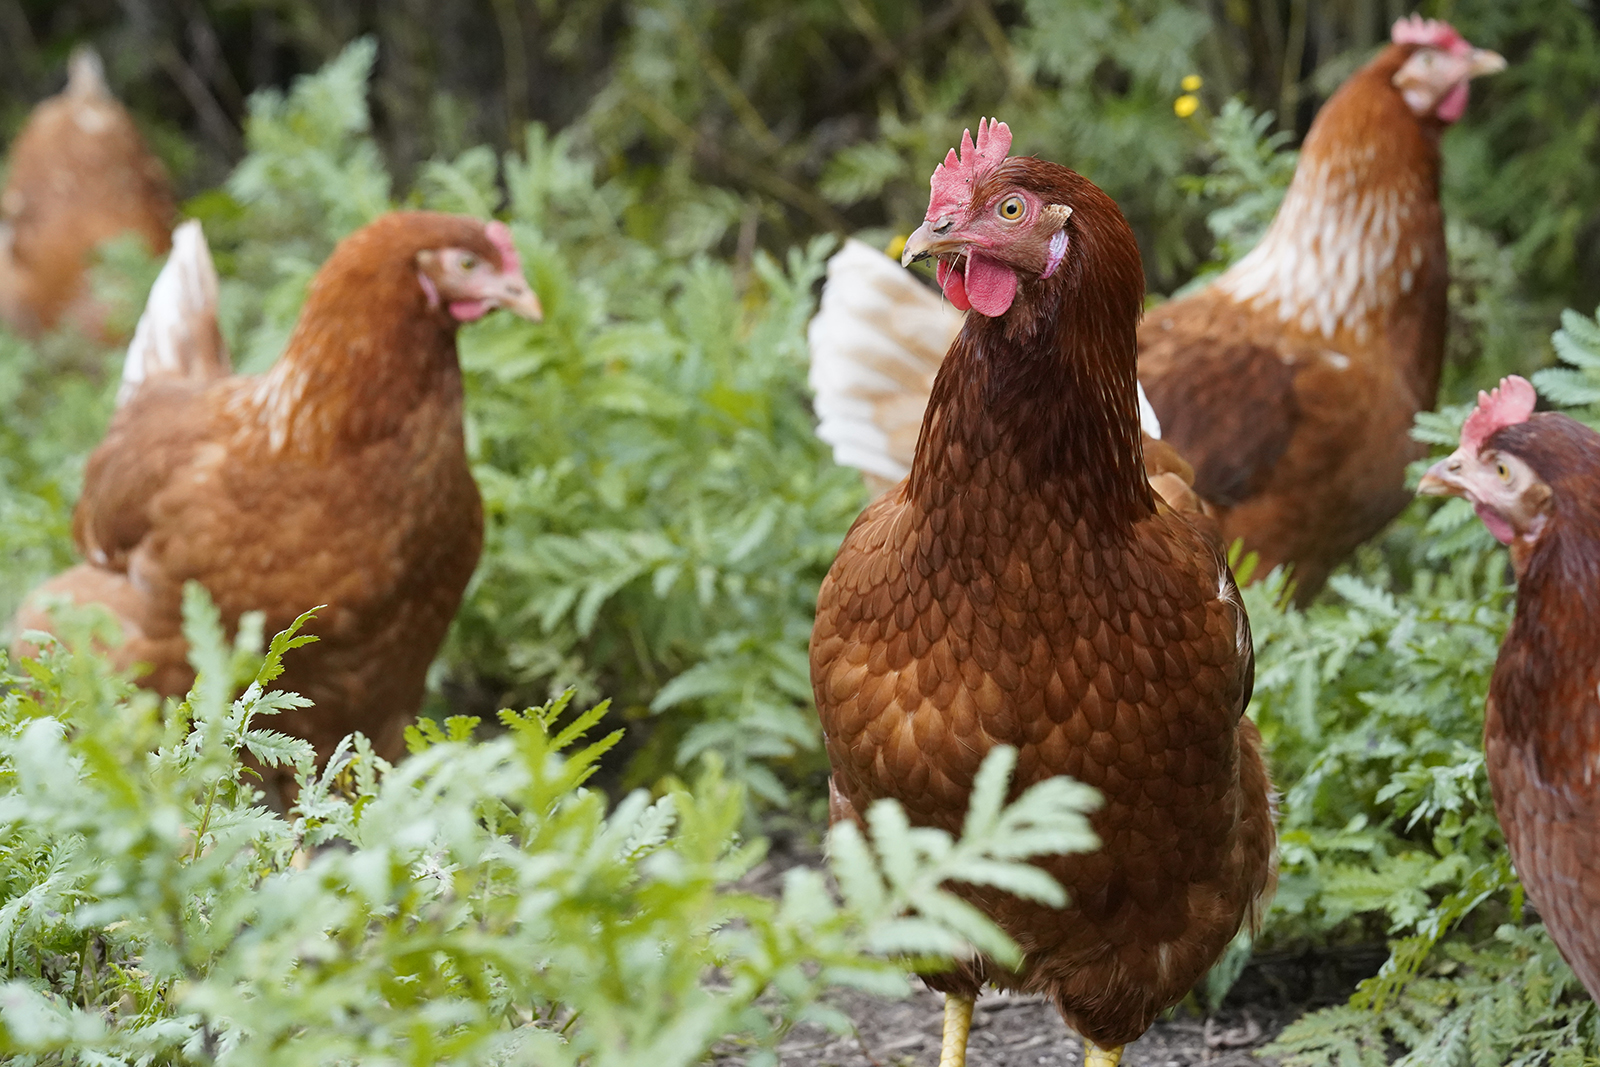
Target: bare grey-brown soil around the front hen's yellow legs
1017	1031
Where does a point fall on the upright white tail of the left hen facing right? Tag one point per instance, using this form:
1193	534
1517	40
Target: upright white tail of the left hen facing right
178	335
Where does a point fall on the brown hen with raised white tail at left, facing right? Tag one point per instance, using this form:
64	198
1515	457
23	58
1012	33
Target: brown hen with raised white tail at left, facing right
337	479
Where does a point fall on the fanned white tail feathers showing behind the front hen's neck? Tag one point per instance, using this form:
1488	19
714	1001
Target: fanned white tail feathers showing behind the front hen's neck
878	342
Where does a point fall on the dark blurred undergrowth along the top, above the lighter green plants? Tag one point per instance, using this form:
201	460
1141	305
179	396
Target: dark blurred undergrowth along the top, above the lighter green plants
822	116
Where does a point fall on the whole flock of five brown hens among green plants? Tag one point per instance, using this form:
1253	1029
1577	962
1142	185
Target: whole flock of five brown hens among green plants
1046	565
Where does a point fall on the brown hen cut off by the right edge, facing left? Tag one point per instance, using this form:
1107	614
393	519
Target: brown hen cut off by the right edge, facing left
1535	482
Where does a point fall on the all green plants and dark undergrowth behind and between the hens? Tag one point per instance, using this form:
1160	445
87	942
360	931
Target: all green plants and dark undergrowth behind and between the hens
660	513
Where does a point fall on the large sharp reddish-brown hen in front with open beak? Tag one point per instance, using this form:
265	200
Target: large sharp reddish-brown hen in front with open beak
1026	588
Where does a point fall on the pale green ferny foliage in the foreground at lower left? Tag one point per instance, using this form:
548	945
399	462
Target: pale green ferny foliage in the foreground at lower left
476	905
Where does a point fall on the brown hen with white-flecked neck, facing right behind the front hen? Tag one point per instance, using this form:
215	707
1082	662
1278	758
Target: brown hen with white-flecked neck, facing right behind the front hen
1292	382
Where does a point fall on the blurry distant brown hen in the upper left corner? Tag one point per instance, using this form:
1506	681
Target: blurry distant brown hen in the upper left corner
78	175
